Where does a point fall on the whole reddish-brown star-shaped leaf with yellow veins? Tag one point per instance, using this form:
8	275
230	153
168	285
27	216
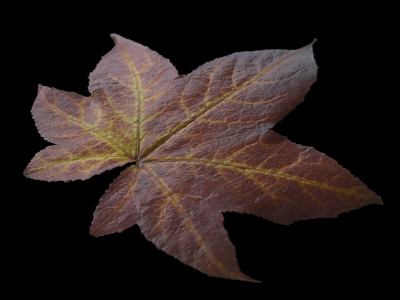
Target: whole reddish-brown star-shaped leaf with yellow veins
199	145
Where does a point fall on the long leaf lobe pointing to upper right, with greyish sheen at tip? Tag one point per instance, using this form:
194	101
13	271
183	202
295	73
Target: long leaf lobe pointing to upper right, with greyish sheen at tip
209	104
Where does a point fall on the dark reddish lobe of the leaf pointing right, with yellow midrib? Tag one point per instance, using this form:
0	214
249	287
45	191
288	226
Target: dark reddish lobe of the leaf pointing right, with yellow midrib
272	178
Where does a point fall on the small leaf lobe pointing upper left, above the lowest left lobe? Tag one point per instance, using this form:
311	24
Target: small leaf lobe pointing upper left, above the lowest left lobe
64	117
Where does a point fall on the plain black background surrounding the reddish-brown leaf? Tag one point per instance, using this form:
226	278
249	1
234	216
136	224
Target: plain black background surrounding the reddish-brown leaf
347	114
